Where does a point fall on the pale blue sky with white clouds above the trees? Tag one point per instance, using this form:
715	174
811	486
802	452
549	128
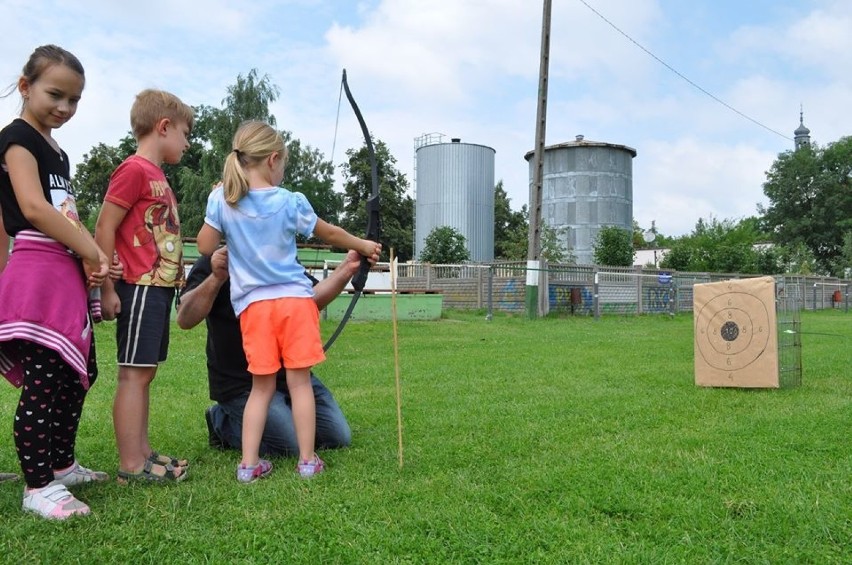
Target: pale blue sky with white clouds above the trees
708	92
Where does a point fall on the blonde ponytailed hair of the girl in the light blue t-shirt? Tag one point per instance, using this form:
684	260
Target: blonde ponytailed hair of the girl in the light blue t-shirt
253	142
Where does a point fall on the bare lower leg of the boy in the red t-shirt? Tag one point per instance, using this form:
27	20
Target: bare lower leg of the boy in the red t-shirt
130	416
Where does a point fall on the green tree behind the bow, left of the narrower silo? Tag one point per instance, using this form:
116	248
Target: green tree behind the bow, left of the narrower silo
397	208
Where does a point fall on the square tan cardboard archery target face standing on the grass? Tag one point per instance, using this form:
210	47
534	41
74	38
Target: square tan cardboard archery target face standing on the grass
736	344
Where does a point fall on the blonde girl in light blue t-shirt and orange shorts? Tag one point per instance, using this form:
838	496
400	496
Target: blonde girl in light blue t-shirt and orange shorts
274	300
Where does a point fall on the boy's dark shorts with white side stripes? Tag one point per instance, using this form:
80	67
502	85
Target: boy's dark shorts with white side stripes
142	332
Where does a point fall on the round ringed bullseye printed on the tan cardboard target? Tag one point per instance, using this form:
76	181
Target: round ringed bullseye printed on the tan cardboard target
732	330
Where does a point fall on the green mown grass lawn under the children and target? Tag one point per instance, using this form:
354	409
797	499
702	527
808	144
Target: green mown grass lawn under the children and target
525	441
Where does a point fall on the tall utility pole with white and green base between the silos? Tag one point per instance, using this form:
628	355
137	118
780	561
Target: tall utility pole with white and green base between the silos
533	300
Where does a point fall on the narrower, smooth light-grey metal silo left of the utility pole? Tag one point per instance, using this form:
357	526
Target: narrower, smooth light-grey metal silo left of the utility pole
455	188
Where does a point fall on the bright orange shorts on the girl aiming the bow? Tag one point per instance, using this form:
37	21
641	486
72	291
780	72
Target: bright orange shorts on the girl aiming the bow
282	329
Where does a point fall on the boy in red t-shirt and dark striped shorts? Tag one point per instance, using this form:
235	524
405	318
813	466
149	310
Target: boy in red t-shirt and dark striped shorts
139	221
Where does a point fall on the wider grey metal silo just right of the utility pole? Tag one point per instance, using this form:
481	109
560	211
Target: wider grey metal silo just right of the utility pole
586	185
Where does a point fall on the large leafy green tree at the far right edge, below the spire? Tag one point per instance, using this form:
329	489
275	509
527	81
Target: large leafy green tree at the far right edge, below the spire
810	201
